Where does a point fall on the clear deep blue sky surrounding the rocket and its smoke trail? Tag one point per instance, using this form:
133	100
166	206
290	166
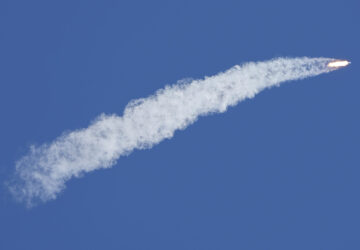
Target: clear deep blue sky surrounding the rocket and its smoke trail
280	171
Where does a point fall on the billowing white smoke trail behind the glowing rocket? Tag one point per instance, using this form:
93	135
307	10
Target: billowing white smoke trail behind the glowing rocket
41	175
